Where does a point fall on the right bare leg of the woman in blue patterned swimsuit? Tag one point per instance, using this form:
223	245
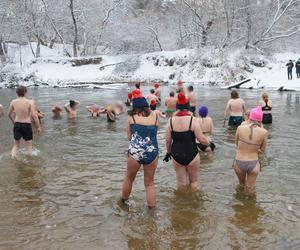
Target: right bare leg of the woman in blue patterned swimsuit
149	171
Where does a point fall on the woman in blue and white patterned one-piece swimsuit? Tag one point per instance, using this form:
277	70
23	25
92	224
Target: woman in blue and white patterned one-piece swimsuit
142	127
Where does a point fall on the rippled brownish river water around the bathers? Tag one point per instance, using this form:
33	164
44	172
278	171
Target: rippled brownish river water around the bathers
66	195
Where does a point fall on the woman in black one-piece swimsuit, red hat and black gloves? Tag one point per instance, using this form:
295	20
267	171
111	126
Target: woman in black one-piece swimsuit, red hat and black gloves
182	130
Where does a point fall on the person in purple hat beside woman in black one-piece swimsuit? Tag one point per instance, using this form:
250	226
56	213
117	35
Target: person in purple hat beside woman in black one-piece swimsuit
206	124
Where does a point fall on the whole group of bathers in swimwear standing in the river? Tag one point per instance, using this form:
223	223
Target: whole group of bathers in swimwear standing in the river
187	133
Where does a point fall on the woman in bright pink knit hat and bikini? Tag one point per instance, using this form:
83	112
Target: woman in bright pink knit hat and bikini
251	141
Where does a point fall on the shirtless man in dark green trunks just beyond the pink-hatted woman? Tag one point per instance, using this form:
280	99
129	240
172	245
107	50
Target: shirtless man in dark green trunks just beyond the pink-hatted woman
236	109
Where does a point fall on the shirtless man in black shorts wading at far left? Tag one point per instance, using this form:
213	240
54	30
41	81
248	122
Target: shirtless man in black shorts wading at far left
23	109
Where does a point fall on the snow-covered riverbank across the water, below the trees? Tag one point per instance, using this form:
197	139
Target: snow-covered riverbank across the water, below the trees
194	66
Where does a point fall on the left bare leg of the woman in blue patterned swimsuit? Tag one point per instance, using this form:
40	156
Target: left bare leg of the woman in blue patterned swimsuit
132	168
